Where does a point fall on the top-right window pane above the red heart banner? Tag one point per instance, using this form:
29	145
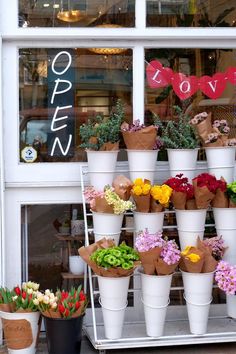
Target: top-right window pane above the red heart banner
191	13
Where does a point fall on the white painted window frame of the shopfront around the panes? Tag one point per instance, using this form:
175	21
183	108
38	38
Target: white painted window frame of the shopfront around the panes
50	183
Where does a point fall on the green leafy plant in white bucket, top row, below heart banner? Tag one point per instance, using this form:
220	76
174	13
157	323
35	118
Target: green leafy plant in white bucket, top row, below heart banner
179	138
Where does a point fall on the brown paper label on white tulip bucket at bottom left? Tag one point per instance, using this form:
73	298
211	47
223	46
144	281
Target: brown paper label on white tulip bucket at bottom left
17	333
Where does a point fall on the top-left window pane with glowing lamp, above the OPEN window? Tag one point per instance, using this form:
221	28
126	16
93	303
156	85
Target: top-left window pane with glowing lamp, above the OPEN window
76	13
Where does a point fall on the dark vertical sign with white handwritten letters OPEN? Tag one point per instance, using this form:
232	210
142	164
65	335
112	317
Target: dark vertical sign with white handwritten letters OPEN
61	78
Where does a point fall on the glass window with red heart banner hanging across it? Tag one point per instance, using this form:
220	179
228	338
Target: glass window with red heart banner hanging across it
199	80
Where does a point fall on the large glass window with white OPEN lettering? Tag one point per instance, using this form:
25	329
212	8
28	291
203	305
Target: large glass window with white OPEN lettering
60	89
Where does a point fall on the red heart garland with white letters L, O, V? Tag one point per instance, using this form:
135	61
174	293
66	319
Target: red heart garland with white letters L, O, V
185	86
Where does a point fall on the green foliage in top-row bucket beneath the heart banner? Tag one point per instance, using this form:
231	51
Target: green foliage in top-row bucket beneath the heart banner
178	134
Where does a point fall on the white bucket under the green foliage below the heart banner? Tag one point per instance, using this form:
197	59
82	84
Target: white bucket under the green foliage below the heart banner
182	161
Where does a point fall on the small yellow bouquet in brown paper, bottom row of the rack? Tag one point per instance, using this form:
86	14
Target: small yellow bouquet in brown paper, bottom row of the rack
192	260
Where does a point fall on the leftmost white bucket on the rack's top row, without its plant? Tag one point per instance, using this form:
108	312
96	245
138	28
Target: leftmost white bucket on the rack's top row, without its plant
101	167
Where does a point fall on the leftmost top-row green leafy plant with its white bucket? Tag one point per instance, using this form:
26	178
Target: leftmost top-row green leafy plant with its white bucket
100	138
